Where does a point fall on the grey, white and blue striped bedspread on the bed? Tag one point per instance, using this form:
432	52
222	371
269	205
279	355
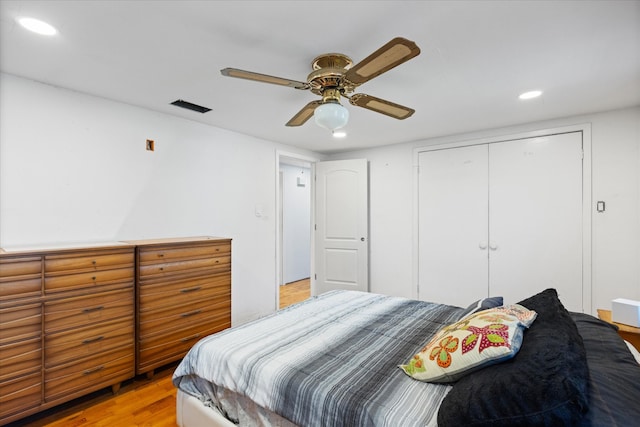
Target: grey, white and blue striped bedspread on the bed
329	361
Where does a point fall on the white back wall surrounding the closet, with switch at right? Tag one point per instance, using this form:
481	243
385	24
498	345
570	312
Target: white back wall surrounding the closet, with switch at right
616	180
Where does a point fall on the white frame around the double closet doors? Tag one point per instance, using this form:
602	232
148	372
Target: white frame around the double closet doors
585	128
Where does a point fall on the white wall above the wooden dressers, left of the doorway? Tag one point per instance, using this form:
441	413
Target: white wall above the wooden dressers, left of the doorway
73	168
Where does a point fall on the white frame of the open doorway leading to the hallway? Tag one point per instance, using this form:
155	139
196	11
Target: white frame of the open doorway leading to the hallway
290	158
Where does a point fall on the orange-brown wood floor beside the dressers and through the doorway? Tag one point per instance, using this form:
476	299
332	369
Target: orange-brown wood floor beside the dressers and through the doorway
141	401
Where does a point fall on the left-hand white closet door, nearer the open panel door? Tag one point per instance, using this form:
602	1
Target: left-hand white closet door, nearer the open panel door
453	225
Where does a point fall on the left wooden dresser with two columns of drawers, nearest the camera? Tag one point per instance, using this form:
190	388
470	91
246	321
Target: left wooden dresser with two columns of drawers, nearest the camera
67	325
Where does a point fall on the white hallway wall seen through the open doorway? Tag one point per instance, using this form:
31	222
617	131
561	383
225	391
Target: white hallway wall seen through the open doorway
296	204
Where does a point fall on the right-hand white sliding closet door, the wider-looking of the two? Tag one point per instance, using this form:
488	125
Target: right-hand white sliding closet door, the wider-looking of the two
535	228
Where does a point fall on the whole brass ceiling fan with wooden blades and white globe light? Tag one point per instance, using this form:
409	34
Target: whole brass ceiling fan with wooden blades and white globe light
334	76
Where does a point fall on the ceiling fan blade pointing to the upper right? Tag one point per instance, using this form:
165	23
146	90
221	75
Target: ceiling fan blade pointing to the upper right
392	54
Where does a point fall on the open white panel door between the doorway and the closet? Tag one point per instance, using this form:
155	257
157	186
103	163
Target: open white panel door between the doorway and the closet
342	226
